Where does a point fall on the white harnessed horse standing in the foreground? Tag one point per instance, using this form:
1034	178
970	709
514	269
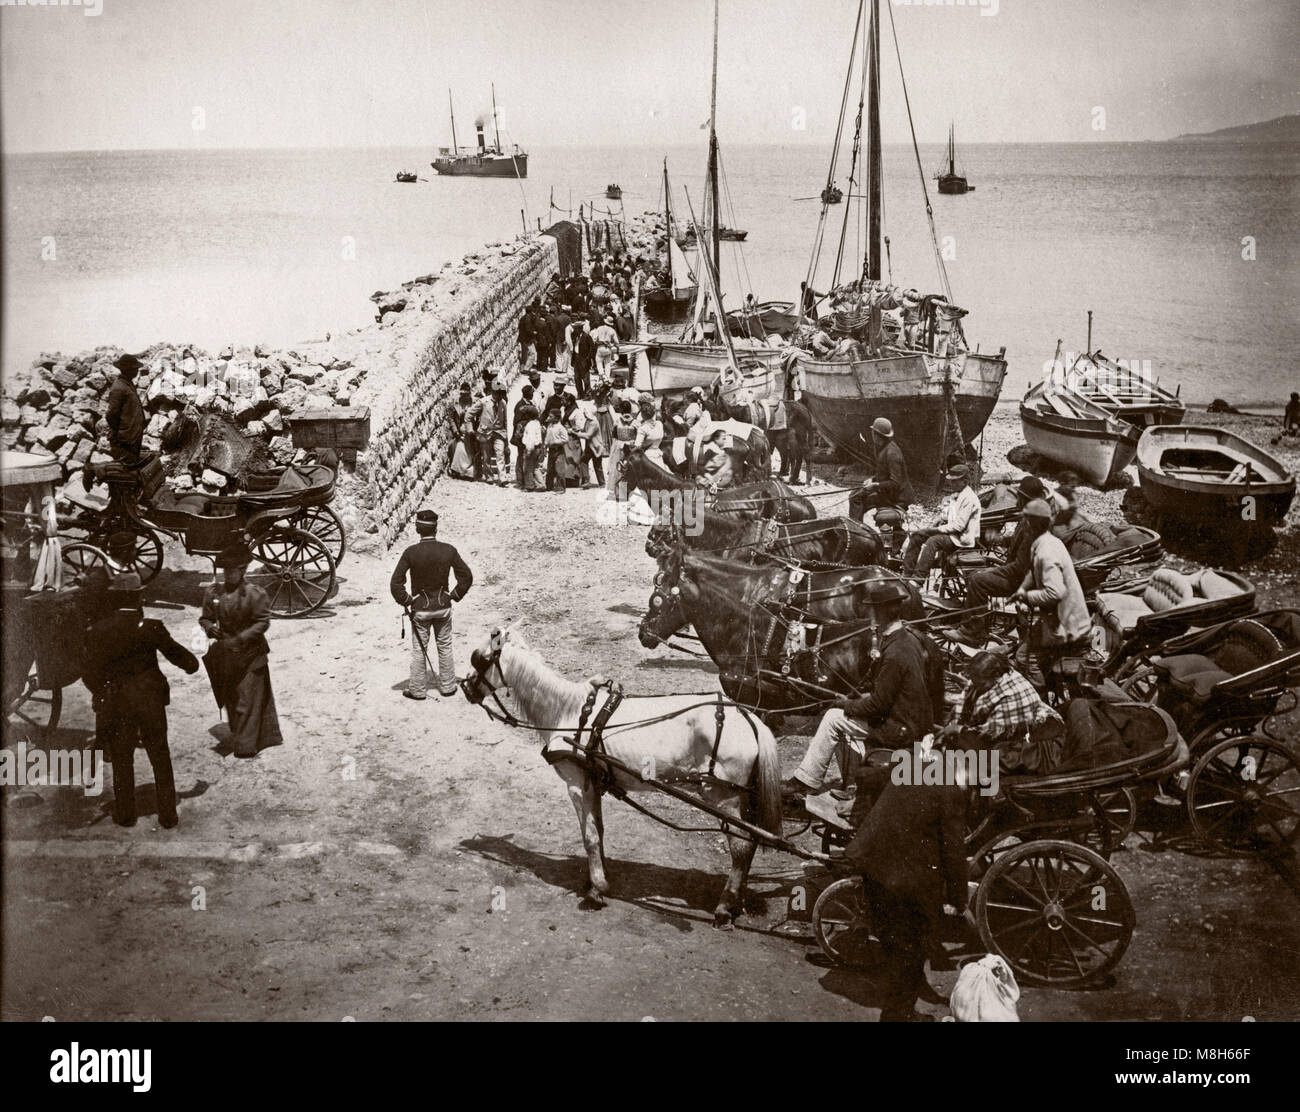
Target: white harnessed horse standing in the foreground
671	738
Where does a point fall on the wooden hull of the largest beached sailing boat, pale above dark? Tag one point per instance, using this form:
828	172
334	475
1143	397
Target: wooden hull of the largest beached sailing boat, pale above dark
912	392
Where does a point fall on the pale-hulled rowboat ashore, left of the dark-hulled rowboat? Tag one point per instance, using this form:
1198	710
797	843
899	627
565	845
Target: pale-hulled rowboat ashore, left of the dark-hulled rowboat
1068	429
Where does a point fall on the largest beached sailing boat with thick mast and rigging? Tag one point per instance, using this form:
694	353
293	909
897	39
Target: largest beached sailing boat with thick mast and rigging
903	357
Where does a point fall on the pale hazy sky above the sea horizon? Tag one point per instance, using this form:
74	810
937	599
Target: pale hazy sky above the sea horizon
361	73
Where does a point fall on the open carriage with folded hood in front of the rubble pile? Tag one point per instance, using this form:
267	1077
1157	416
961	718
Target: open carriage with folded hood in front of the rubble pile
296	539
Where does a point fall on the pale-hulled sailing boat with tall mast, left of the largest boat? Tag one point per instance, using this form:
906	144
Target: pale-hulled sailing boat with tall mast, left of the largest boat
705	352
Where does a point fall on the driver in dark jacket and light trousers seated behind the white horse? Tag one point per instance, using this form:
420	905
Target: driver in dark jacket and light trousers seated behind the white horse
905	702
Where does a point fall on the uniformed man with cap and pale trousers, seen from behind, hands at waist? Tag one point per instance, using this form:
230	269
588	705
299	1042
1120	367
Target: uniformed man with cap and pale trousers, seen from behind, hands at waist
430	563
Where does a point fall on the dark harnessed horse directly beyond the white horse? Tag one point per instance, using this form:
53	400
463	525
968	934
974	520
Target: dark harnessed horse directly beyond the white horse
783	639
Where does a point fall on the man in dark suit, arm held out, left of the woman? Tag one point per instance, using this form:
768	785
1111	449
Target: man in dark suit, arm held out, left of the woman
131	696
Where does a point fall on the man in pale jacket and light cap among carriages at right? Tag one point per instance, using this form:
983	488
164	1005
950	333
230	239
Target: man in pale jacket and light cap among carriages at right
1051	586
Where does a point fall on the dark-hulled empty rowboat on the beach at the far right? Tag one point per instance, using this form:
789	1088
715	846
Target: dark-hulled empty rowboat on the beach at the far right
1207	477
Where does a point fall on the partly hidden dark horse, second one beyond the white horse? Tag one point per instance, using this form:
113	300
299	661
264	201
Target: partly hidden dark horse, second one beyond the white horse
824	540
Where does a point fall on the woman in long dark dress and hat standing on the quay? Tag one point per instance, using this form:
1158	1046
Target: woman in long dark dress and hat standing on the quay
236	617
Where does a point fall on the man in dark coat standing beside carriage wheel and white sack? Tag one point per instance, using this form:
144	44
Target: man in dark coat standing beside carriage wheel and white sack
912	854
